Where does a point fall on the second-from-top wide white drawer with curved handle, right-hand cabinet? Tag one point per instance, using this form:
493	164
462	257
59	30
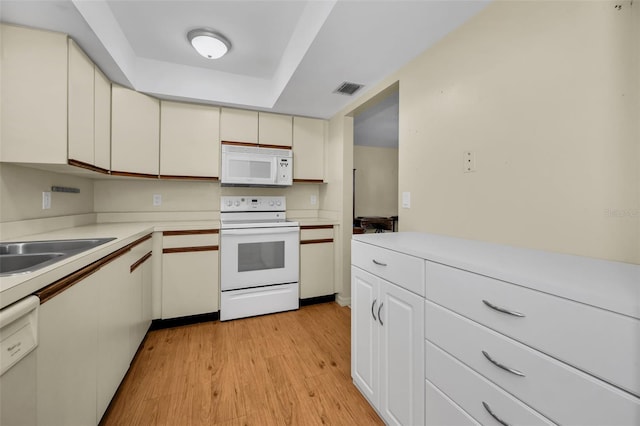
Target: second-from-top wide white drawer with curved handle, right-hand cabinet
561	393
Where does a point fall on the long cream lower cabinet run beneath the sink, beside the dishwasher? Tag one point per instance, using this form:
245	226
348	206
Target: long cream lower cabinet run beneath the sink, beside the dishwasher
88	334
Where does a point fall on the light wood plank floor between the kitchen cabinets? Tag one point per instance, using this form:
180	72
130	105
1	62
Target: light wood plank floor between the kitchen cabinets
291	368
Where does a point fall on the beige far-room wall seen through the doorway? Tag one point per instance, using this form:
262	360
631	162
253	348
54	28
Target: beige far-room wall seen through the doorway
376	180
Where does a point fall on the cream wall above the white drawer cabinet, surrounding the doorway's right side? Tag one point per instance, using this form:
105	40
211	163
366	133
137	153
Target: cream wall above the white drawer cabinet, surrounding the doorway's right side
546	95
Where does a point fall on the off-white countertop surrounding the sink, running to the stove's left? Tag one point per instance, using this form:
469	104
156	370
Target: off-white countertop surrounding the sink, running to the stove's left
15	287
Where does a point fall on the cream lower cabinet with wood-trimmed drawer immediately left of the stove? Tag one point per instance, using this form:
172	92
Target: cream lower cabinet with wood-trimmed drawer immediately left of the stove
190	273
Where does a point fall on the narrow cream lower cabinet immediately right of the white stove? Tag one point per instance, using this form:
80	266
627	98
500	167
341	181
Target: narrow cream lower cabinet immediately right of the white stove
316	261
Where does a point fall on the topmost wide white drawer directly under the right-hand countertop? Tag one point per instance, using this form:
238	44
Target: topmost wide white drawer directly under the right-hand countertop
597	341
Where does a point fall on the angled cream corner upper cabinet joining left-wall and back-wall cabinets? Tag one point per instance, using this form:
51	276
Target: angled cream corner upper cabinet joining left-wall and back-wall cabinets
135	132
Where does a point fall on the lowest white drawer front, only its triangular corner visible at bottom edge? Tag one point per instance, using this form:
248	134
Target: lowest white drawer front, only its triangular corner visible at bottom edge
440	410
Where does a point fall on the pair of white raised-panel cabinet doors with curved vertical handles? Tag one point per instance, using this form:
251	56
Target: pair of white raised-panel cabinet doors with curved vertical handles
387	347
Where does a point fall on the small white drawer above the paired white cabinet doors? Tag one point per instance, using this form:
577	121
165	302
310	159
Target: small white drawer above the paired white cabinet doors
401	269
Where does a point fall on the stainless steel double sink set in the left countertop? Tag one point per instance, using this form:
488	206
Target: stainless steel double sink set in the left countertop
29	256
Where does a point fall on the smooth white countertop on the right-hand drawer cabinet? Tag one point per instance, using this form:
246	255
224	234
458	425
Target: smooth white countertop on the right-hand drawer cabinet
614	286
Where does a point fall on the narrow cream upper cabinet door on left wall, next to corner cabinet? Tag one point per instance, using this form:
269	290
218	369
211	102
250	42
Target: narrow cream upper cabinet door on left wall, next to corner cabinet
102	120
